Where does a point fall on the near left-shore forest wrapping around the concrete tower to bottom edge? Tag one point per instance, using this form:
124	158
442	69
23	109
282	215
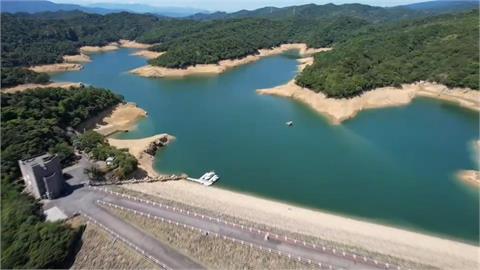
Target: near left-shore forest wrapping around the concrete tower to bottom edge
34	122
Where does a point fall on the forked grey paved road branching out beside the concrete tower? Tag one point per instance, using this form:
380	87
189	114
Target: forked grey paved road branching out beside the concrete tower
83	199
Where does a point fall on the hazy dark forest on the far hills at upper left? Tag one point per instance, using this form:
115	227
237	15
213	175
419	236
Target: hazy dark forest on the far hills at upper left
44	38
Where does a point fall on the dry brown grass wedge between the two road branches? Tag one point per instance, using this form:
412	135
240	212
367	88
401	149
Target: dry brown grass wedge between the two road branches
212	252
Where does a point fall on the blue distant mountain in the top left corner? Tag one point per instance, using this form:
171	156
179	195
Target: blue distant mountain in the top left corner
33	6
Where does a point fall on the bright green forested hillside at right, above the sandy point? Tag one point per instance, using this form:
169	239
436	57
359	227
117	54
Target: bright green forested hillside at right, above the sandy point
444	49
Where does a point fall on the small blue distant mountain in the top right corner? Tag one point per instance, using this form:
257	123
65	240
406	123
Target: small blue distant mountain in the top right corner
444	6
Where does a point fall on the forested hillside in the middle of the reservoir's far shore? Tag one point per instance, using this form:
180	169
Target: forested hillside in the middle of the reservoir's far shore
209	42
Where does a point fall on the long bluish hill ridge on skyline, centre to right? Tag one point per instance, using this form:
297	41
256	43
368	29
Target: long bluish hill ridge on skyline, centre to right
359	11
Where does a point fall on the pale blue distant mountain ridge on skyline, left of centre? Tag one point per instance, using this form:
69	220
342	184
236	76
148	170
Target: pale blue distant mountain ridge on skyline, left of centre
140	8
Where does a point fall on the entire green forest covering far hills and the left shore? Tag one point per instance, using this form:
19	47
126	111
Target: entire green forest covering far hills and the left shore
373	47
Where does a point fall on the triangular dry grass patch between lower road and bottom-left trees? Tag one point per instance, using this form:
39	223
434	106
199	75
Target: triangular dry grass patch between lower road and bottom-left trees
99	250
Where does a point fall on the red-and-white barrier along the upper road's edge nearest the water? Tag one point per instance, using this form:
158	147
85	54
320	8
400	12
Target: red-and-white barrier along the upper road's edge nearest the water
318	247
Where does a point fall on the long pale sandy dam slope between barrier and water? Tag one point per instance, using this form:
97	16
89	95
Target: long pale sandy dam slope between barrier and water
409	245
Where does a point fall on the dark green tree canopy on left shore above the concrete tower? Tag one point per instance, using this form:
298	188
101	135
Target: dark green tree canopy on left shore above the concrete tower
35	121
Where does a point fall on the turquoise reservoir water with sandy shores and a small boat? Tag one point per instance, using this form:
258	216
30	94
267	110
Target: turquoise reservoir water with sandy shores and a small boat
394	166
